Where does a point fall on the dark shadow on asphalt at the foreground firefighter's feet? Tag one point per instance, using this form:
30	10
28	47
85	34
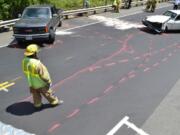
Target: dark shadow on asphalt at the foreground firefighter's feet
25	108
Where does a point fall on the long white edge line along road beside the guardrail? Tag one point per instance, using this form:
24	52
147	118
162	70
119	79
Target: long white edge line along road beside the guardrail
138	12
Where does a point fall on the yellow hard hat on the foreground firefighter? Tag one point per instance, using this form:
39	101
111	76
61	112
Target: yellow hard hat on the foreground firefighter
31	49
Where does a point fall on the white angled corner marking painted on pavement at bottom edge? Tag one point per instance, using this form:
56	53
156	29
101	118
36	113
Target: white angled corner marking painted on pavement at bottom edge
125	121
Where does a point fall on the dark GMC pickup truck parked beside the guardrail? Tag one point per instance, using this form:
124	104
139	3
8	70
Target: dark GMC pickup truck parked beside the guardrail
38	23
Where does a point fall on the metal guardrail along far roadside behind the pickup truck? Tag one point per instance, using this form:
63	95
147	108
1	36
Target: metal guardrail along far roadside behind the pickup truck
66	14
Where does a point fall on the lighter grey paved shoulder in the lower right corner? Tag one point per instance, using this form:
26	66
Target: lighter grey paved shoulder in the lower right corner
166	118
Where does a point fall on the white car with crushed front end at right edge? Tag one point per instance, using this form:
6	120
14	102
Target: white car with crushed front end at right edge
170	20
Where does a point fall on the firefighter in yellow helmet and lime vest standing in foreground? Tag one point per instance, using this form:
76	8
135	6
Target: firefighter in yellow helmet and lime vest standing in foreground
38	77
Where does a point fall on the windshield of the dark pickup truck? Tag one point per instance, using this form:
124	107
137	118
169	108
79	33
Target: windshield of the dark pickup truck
36	13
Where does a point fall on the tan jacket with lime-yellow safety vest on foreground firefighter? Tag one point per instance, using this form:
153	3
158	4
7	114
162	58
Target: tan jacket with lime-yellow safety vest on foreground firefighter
36	73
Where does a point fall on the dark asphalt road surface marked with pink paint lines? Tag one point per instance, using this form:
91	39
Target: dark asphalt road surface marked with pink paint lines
103	72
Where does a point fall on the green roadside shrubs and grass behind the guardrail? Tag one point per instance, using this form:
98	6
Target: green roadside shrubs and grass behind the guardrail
9	9
